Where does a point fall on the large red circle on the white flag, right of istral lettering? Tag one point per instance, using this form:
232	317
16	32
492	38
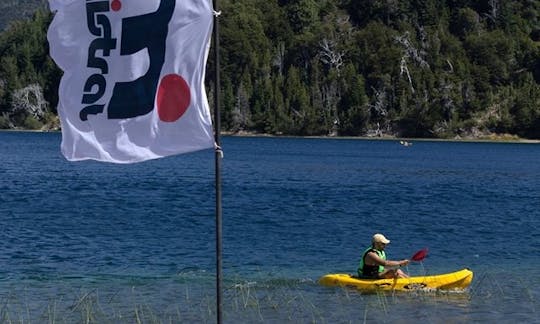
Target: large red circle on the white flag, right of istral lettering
173	98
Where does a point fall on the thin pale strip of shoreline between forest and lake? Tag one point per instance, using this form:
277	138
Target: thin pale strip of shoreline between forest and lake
494	138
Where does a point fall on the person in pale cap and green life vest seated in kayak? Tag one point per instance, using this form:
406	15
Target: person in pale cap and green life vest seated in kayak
373	263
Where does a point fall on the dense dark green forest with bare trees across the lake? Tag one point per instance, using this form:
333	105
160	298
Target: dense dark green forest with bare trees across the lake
431	68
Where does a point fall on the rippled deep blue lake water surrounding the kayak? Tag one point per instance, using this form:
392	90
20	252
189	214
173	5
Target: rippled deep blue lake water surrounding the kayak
99	242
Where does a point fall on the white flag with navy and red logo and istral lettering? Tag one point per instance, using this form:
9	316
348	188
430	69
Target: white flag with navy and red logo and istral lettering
133	83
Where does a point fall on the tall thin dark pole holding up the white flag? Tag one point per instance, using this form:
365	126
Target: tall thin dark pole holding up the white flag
218	157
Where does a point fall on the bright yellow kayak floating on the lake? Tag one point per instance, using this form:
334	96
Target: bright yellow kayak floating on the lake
458	280
